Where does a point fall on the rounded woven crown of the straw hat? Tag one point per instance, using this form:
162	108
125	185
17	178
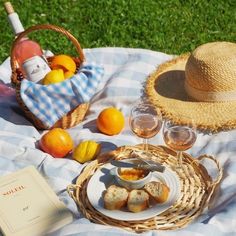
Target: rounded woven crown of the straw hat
211	69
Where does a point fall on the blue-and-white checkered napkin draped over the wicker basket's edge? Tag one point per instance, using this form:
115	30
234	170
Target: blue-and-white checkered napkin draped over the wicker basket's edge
51	102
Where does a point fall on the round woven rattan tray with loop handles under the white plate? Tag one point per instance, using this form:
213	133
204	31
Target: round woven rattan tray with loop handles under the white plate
197	187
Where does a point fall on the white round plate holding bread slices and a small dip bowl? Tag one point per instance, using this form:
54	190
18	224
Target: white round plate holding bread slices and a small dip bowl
101	180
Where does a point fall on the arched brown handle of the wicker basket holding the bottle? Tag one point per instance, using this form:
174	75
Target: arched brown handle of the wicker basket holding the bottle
45	27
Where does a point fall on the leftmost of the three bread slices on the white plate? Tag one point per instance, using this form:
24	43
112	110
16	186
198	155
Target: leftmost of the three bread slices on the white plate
115	197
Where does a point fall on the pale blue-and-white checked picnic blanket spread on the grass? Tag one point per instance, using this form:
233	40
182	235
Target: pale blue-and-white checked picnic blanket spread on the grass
125	72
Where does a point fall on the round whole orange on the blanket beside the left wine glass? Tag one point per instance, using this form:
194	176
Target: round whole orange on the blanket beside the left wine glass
110	121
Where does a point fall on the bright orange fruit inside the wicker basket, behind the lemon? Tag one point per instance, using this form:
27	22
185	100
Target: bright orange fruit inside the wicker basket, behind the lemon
64	62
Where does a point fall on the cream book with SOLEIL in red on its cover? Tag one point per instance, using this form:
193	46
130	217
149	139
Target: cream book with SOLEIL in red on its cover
28	205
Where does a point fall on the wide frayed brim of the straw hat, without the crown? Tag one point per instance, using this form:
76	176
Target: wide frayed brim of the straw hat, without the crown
165	89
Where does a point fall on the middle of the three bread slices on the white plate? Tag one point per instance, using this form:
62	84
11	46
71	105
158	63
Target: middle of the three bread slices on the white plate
138	200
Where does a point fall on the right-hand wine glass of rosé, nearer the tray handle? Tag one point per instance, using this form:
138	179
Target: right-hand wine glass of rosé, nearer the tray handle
179	137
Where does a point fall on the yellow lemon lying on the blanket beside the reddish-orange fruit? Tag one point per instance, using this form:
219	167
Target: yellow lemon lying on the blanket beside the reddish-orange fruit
86	151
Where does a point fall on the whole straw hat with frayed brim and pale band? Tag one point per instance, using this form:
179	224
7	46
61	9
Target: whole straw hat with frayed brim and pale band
200	85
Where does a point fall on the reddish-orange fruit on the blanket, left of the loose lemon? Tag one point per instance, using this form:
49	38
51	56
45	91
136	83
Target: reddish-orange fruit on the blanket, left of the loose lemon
56	142
